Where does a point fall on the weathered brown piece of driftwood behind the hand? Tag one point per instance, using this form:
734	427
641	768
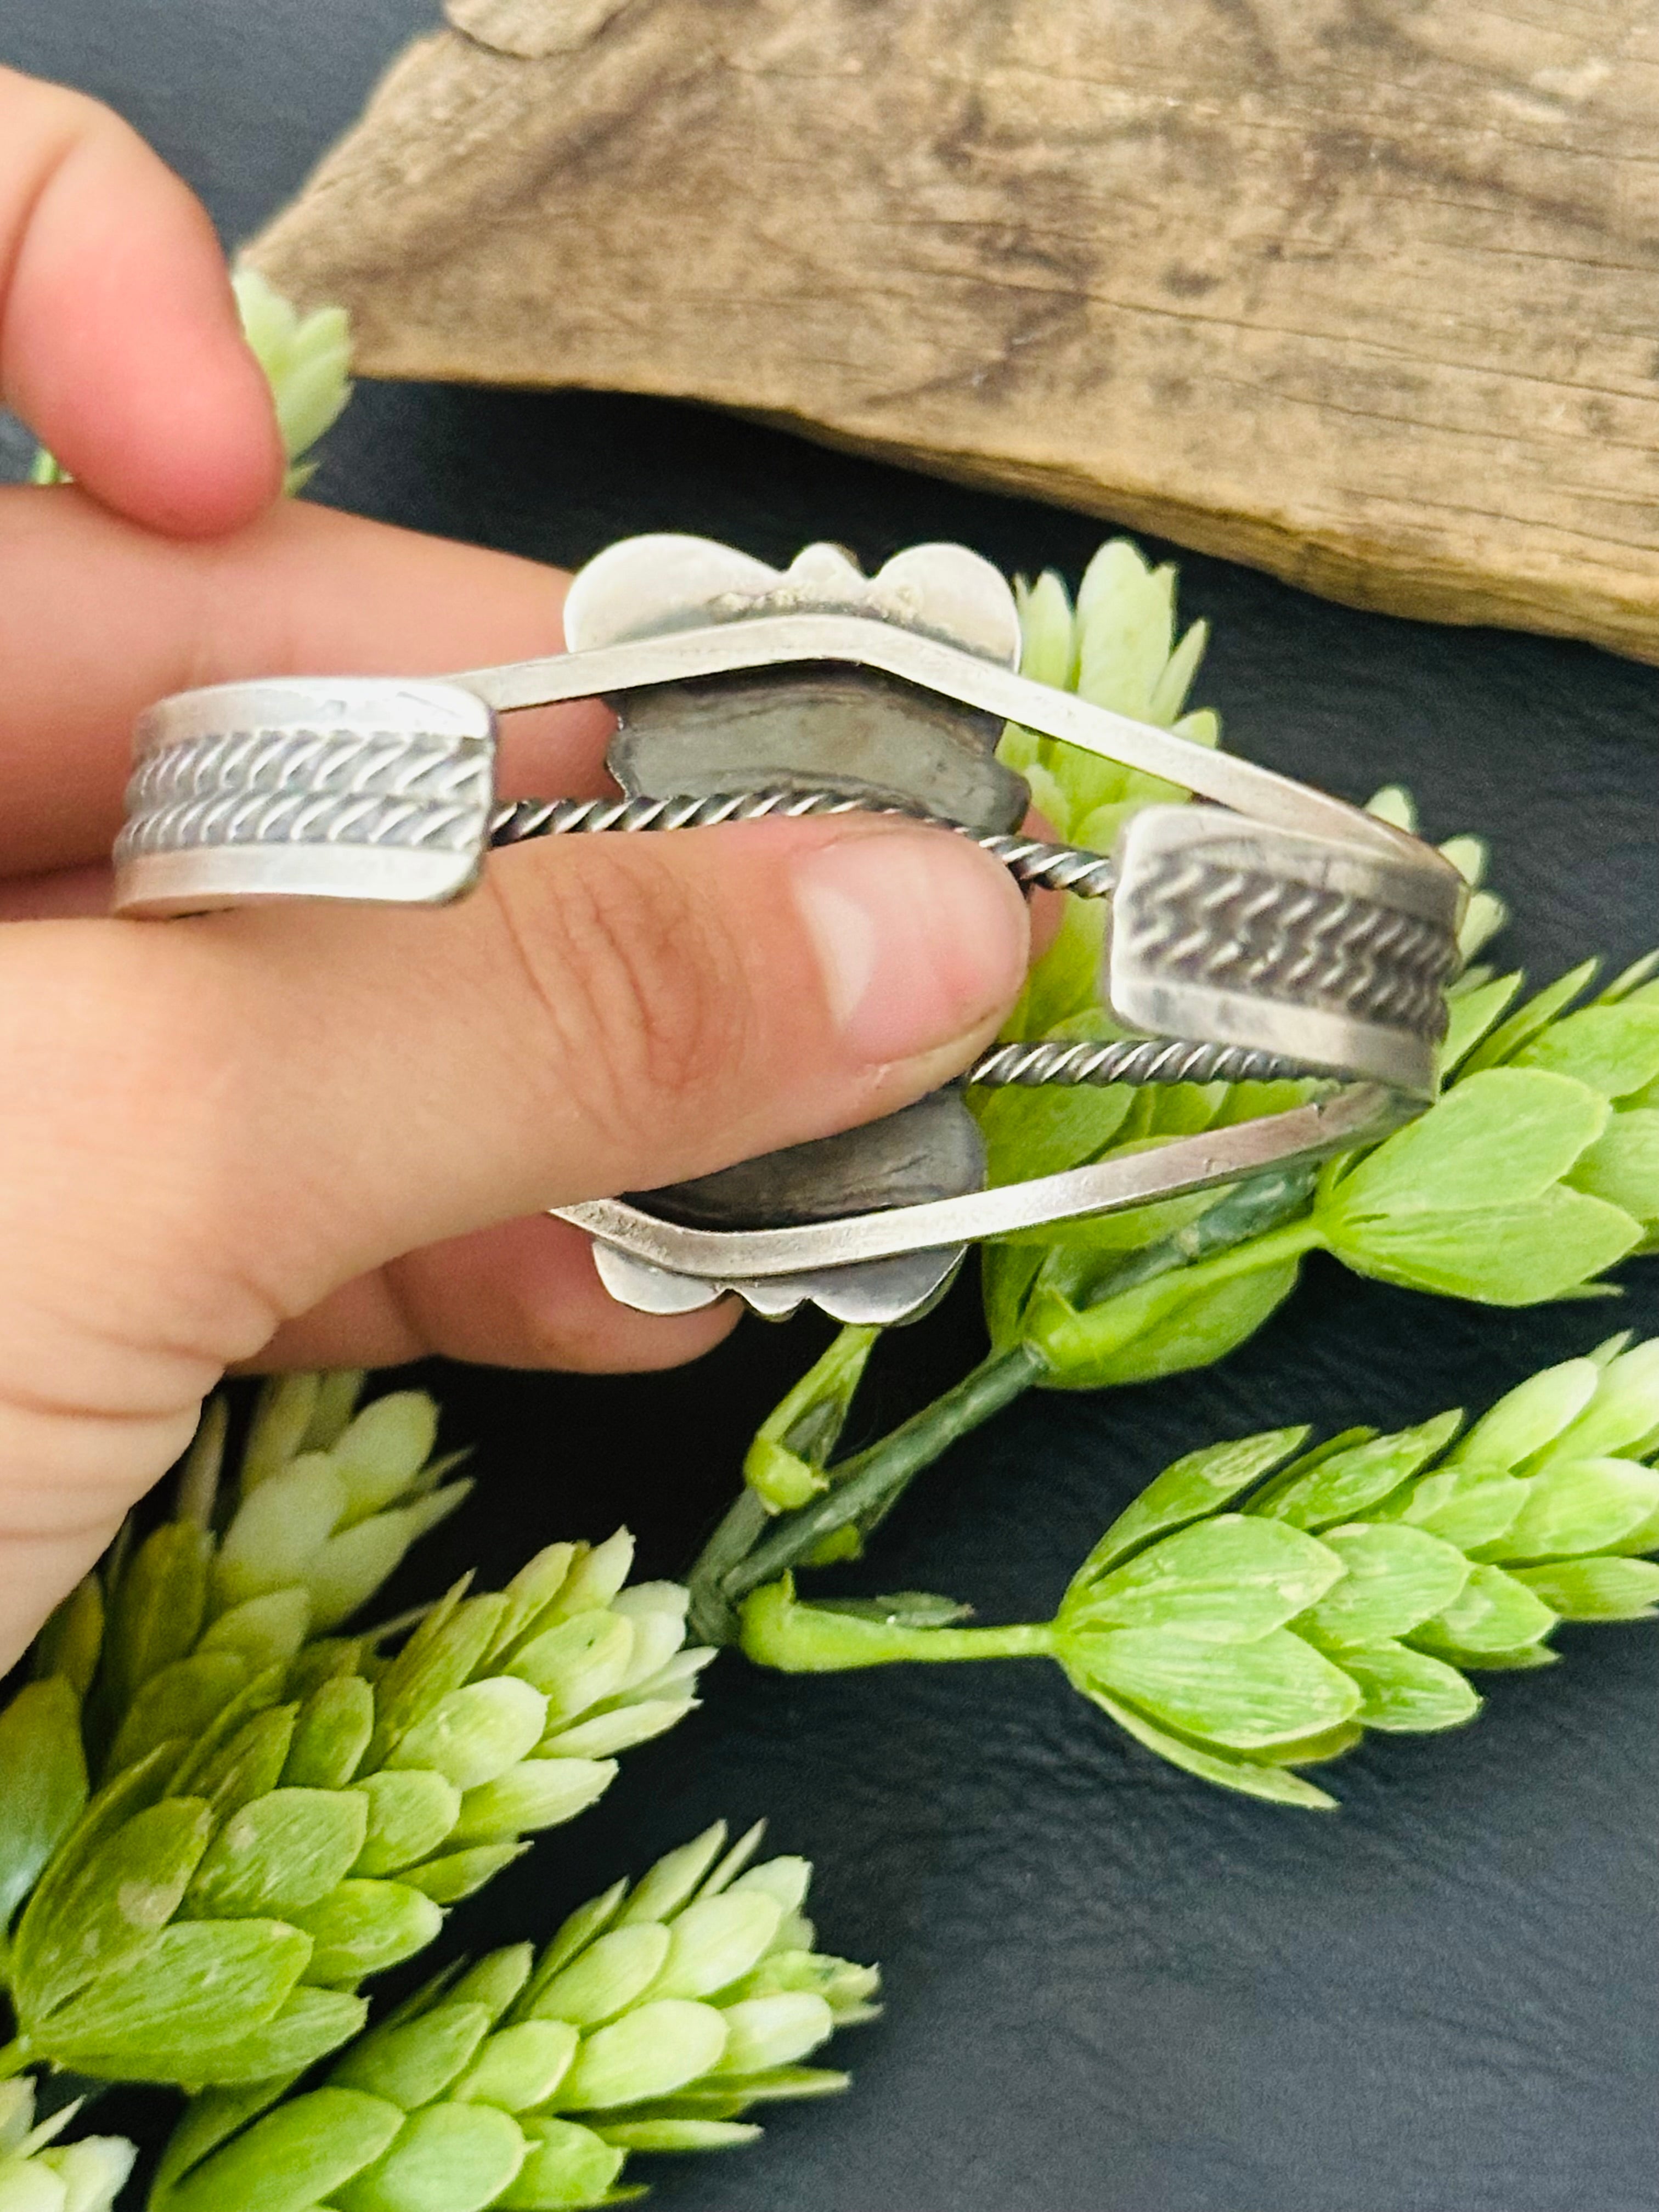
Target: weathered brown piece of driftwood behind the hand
1359	291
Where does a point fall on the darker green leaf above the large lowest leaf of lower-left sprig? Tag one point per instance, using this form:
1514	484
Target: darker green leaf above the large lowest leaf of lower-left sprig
112	1914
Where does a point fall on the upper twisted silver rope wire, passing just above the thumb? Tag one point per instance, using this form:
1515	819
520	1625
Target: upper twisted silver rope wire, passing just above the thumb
1054	868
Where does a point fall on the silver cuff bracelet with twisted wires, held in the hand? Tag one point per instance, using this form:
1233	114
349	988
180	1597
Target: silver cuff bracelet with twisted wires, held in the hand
1262	932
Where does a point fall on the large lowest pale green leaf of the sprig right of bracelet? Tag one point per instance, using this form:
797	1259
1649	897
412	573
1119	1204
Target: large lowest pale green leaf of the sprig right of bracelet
1501	1255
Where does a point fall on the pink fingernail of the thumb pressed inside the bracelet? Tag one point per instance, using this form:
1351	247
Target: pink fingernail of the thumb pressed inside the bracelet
921	939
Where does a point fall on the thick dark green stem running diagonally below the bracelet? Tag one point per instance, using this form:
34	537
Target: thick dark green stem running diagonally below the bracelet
870	1483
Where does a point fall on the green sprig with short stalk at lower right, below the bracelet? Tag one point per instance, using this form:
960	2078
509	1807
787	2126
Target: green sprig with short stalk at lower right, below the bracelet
1260	1607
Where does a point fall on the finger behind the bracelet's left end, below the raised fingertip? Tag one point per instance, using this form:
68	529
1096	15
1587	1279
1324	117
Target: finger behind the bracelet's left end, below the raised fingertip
98	620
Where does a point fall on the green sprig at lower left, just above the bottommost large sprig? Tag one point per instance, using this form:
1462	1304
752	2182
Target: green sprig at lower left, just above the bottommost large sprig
216	1906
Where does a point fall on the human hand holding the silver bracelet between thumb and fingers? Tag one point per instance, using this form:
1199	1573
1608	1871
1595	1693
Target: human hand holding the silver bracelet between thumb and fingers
331	1134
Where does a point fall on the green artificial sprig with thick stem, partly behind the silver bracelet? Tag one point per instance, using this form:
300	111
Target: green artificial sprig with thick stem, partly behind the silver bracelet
1532	1176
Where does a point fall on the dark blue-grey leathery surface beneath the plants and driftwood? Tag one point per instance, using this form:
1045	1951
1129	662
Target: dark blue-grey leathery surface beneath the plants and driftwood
1112	1990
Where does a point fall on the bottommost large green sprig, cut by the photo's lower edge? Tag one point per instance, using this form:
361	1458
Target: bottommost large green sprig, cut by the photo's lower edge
654	2021
